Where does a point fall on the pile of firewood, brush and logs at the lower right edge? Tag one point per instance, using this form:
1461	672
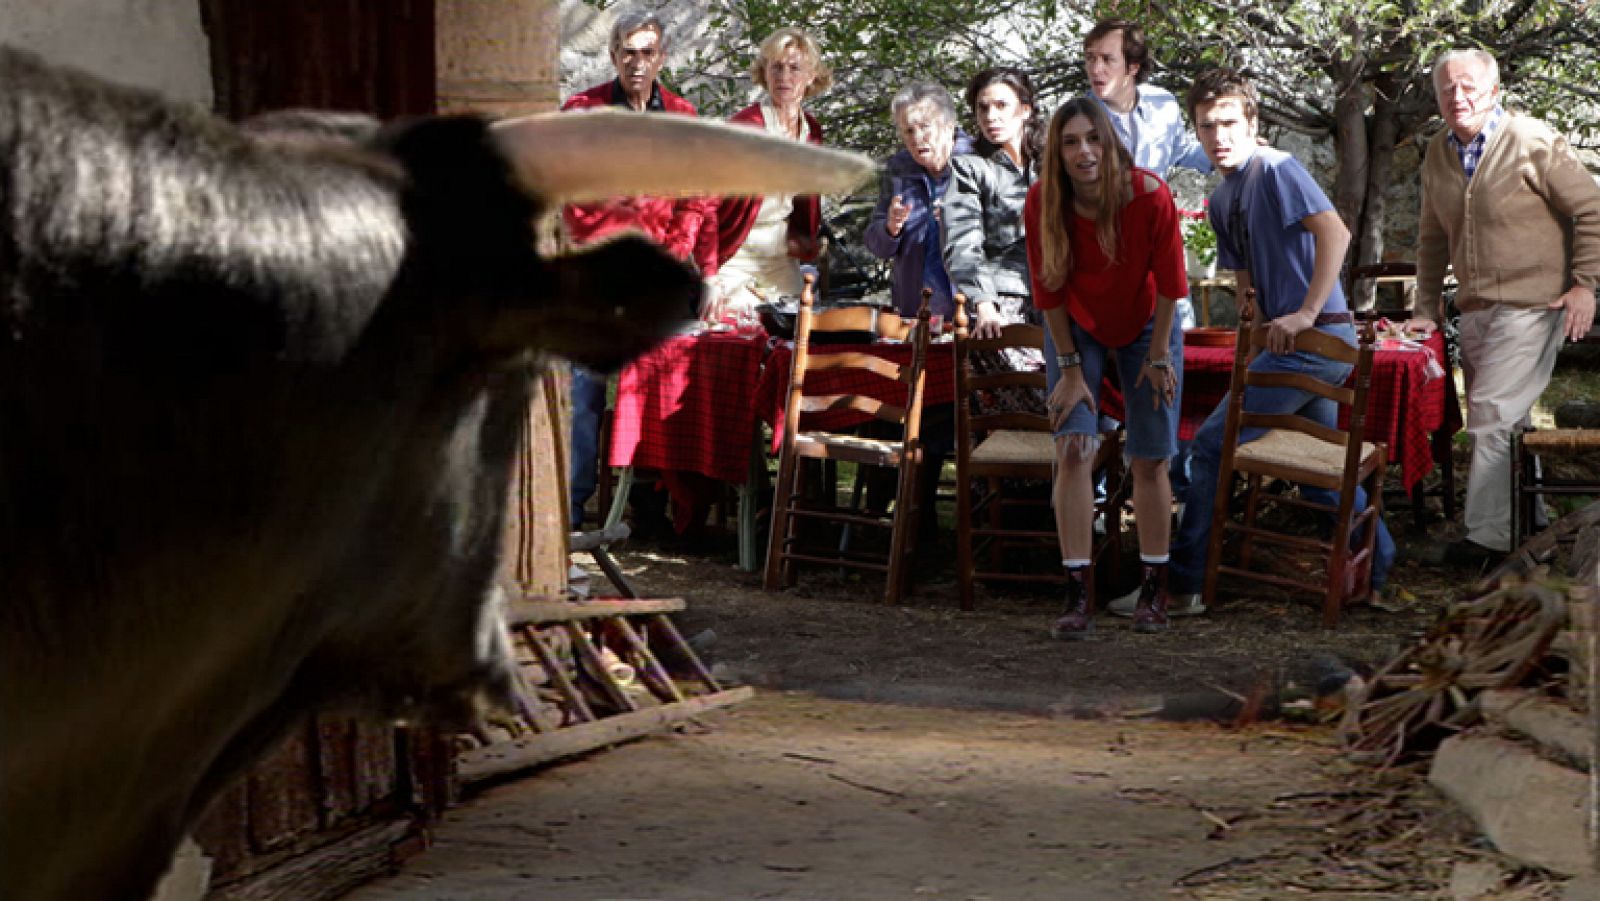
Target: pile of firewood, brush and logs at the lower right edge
1502	694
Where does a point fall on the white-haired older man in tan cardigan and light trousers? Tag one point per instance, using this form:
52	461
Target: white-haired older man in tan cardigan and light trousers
1511	209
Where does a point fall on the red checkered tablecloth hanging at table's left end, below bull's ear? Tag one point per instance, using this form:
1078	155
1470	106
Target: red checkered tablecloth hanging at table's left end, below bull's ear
690	406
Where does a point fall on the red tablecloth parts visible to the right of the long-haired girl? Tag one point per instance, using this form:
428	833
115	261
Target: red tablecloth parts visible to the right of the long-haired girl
1404	409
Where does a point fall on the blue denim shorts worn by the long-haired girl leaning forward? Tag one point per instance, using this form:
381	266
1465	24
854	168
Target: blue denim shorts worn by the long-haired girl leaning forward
1151	433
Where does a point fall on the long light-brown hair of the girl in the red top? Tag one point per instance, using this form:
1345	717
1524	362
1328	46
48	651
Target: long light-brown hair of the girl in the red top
1055	191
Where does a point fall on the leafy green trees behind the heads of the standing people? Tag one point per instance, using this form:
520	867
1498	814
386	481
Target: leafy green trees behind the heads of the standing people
1354	71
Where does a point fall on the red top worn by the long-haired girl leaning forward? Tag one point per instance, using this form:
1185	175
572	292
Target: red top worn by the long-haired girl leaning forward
1114	300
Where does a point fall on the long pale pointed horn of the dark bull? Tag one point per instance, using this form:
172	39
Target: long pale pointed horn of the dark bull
598	154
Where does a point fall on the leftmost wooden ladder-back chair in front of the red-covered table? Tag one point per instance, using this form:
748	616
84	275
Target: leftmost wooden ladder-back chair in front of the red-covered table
903	452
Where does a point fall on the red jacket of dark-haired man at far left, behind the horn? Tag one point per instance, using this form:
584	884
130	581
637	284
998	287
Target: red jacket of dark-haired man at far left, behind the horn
684	226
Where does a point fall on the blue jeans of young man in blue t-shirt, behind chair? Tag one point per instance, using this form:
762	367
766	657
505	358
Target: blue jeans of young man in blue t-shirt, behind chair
1186	571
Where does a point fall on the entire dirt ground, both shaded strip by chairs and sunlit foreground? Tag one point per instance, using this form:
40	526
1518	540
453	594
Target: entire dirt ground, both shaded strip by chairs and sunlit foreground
922	751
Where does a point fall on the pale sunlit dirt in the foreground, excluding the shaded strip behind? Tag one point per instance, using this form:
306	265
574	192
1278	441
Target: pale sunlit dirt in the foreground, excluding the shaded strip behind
796	796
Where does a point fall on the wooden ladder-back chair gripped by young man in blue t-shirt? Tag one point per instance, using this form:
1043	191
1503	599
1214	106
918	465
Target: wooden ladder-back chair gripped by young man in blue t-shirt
1306	454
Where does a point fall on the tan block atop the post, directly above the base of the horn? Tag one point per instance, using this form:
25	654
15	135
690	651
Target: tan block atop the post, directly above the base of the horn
498	57
